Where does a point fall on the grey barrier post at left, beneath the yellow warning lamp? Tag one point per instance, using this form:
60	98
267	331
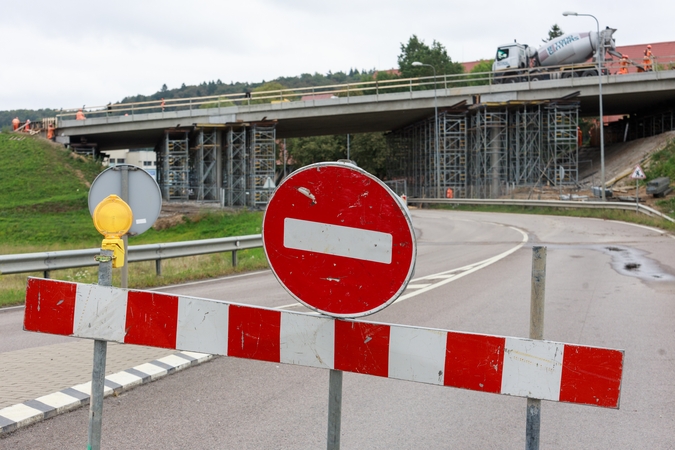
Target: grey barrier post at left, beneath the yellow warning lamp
98	371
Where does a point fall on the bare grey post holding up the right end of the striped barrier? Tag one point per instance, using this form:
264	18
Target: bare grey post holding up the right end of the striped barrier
533	424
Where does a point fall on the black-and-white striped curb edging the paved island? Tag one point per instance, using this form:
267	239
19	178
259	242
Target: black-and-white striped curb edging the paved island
33	411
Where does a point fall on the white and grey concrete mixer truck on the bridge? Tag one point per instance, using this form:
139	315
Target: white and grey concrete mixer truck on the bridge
563	57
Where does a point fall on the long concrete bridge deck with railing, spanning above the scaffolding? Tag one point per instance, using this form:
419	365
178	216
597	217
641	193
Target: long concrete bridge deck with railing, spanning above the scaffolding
366	107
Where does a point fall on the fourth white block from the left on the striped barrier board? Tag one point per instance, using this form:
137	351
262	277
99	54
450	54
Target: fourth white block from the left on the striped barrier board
417	354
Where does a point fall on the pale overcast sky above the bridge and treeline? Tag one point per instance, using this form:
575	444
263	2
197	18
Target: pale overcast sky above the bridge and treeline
67	53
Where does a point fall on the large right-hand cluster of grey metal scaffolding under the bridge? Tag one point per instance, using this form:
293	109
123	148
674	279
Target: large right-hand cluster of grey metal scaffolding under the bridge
487	147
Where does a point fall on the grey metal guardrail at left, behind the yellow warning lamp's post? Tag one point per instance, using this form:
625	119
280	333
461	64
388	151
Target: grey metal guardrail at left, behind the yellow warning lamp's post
70	259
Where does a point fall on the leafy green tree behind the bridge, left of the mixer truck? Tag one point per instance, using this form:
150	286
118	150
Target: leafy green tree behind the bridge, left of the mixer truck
436	55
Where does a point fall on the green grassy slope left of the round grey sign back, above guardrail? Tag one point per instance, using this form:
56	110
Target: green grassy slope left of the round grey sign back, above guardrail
43	192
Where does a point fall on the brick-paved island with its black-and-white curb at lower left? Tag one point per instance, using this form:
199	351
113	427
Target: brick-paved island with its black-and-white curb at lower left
37	383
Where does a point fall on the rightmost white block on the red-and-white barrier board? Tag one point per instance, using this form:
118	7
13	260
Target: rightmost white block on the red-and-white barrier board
532	368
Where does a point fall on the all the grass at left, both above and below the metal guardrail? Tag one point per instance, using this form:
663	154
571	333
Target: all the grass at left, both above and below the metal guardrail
43	207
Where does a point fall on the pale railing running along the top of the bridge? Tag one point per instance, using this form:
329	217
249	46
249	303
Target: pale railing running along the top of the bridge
328	92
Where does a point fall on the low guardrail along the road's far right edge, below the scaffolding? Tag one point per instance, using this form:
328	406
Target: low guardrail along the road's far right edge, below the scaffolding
546	204
